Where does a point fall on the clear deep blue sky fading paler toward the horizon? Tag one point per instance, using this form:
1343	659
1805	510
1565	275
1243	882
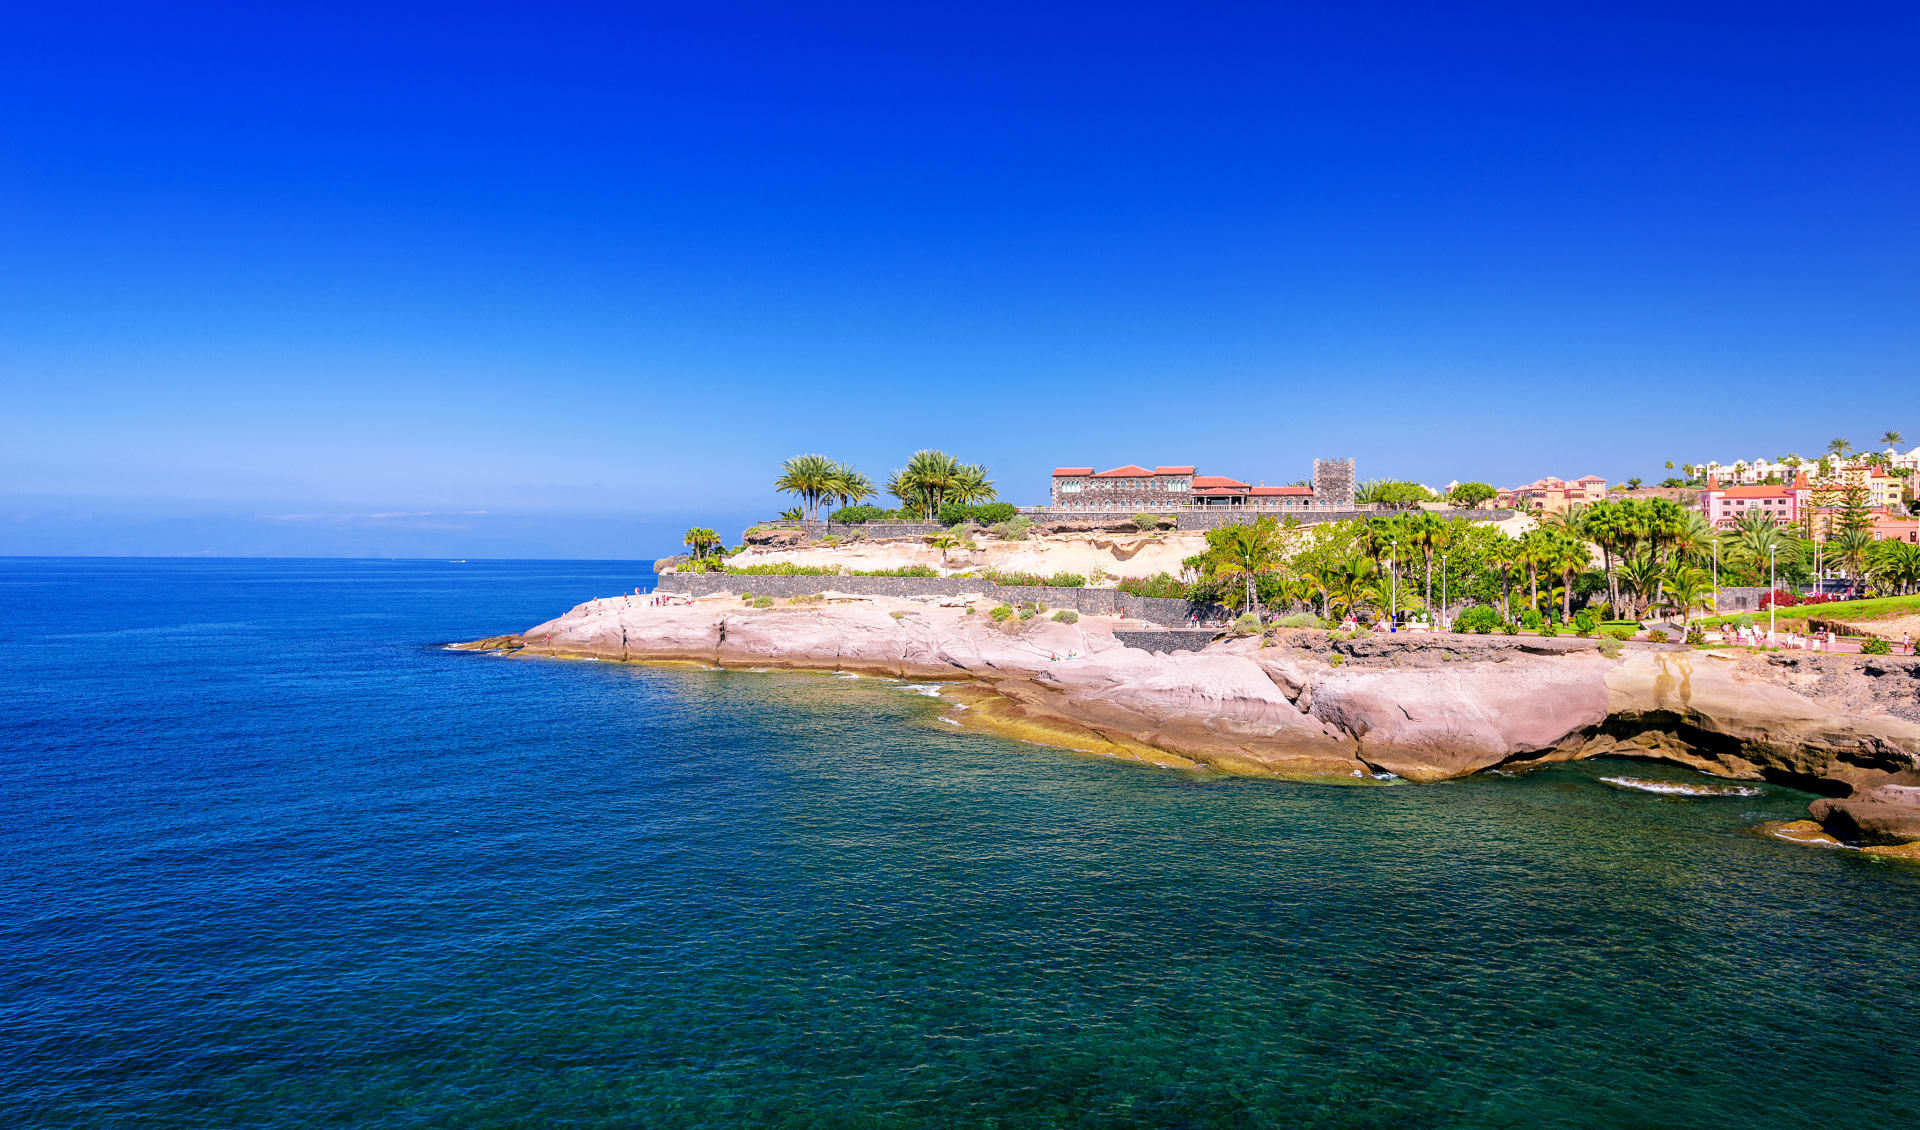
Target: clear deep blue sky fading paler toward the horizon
523	281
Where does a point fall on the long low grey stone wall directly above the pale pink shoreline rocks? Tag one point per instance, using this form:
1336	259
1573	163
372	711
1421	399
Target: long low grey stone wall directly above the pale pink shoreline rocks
1166	611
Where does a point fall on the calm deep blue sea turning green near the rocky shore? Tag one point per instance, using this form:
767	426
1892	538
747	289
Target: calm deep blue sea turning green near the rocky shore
270	857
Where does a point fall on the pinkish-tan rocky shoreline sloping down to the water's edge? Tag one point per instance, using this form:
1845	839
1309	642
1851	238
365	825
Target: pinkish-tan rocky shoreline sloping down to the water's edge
1316	707
